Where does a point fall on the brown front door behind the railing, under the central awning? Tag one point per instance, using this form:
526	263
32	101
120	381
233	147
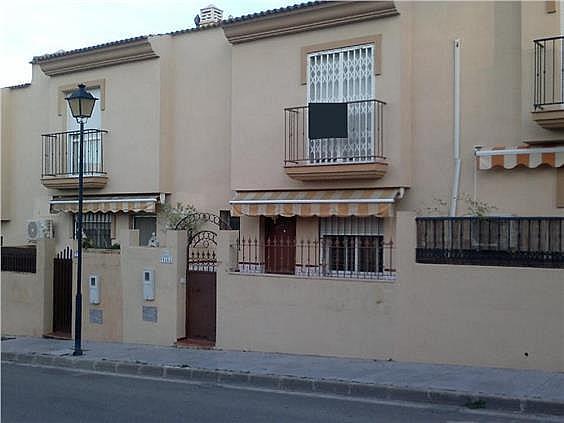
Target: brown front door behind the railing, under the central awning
280	245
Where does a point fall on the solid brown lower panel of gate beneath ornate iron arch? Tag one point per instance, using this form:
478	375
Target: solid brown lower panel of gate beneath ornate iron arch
200	305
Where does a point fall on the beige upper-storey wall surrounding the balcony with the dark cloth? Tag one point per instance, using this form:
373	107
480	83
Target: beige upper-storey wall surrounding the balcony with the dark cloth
266	77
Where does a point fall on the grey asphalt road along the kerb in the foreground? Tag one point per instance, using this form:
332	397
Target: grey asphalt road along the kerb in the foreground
41	394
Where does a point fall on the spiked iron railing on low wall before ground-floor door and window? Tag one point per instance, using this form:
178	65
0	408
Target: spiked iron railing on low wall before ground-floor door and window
355	257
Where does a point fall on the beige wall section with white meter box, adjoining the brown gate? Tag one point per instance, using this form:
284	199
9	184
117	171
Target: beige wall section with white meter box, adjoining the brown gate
170	289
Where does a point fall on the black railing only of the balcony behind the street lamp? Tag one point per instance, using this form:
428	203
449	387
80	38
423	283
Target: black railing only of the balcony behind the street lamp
60	152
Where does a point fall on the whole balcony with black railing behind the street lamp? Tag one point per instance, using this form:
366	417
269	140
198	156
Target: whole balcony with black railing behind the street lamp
60	159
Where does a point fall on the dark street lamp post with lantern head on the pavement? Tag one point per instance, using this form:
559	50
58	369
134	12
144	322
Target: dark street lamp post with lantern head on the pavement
81	104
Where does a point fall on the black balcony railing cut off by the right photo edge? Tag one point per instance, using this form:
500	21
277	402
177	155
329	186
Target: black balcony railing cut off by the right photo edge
548	87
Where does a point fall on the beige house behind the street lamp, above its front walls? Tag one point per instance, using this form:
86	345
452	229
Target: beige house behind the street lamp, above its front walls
145	143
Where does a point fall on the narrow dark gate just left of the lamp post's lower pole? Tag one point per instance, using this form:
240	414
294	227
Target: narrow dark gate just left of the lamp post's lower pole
62	292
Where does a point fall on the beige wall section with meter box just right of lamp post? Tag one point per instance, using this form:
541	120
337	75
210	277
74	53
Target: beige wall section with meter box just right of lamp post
106	265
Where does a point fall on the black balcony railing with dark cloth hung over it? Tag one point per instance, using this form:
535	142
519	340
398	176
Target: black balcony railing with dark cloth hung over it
365	141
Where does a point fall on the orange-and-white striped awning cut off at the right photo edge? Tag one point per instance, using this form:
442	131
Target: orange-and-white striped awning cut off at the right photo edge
524	155
